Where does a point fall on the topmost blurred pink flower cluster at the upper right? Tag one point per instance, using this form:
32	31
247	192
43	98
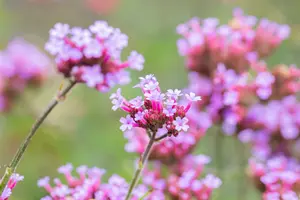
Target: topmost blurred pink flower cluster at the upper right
237	44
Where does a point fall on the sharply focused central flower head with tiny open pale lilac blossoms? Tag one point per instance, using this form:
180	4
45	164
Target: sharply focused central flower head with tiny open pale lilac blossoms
158	112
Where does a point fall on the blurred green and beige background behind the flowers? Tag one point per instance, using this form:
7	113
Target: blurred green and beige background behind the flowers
83	129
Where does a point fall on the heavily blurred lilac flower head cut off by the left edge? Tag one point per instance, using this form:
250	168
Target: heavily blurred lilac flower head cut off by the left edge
21	65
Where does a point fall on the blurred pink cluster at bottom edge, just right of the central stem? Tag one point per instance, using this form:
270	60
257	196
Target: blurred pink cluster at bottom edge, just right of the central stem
182	180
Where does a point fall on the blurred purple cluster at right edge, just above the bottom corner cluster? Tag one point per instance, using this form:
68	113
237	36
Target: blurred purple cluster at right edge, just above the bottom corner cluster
276	123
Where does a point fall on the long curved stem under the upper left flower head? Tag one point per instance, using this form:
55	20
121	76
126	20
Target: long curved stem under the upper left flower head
19	154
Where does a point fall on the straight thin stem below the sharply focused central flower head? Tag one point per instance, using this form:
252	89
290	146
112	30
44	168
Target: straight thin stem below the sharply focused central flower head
141	166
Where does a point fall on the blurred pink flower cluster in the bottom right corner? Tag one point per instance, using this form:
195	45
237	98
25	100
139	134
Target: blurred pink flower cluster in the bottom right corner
278	178
